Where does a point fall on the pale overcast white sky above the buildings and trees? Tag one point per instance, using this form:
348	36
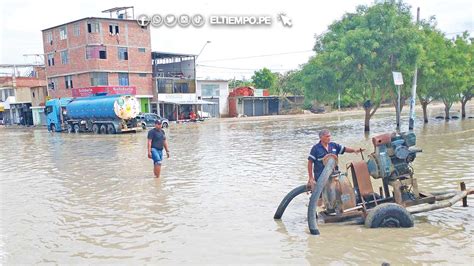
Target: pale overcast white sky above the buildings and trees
234	51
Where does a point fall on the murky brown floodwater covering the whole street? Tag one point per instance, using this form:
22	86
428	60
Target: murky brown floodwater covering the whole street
73	199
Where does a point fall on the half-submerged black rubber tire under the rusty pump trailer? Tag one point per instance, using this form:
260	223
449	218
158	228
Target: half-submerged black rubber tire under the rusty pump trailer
389	215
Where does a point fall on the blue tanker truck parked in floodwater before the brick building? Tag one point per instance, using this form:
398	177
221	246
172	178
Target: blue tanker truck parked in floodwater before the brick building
99	114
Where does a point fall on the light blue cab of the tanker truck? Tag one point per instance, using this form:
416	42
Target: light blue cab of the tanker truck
55	111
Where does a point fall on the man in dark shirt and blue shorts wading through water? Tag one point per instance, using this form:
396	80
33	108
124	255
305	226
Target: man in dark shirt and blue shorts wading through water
156	143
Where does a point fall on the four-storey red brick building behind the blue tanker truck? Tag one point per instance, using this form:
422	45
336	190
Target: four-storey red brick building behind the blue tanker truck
94	54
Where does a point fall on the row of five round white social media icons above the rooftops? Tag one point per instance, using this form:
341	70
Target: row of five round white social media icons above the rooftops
171	20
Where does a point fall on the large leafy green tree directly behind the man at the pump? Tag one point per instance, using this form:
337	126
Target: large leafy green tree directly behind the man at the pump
360	51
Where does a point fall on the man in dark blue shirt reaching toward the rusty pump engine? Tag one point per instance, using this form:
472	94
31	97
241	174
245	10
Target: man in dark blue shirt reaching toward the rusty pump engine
319	151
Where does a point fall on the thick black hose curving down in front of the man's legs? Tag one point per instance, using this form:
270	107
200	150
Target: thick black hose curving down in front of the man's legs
322	180
